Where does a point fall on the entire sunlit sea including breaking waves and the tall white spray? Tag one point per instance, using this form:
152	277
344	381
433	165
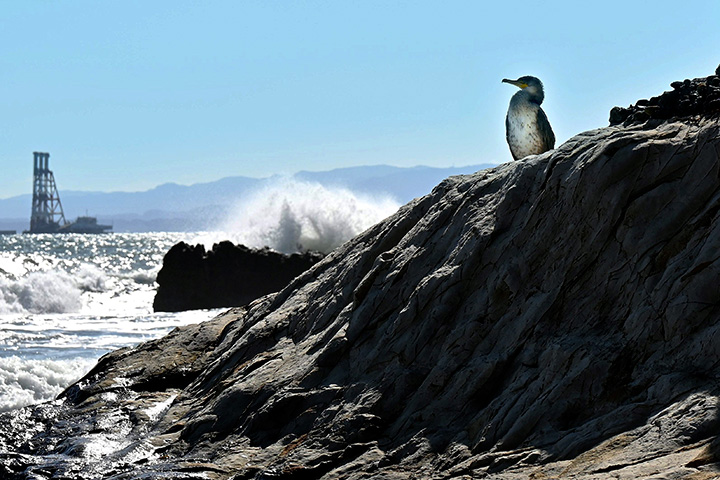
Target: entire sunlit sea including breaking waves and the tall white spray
66	300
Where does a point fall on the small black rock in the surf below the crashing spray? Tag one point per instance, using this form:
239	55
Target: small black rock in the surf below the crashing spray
226	276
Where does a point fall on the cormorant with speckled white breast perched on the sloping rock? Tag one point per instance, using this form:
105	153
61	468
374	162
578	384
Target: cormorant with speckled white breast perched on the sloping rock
527	129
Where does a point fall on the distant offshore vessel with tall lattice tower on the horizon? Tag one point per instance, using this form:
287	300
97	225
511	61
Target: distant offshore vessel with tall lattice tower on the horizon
47	213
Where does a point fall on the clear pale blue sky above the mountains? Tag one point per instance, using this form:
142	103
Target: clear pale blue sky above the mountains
126	95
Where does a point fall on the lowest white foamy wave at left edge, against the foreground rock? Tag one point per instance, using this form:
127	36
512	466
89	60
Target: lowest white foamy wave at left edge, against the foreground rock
24	382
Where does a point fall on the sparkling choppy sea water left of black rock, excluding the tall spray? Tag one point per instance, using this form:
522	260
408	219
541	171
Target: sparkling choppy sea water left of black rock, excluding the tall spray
65	300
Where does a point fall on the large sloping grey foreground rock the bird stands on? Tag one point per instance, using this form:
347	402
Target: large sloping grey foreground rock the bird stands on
556	317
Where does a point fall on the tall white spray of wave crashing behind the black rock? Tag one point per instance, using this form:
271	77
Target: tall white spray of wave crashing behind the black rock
291	216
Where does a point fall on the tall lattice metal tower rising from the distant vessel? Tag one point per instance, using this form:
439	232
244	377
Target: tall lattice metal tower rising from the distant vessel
47	214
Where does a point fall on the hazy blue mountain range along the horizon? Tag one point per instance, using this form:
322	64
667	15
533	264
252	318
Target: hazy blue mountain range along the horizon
173	207
